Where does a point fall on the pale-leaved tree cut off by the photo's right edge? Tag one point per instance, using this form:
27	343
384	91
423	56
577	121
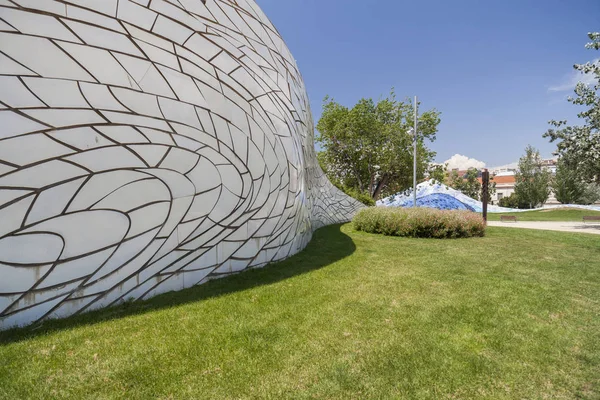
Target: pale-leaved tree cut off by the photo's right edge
580	145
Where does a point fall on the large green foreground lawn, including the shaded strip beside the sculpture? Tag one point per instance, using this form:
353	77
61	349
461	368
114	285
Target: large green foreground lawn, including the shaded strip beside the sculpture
513	315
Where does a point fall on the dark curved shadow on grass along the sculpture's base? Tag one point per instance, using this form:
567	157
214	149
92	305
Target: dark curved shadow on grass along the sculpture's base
329	244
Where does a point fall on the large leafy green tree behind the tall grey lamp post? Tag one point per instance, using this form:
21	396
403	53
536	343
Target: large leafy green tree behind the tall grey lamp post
368	148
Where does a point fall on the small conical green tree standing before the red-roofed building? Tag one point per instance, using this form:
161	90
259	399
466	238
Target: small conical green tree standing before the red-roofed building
532	181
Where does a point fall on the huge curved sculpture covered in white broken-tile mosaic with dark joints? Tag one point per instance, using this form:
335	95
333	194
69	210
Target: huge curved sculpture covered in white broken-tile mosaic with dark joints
145	147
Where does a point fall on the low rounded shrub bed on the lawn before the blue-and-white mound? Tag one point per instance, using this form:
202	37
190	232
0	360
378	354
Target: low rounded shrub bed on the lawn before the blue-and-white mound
419	222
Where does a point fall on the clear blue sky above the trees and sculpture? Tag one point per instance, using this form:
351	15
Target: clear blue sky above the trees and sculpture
488	66
